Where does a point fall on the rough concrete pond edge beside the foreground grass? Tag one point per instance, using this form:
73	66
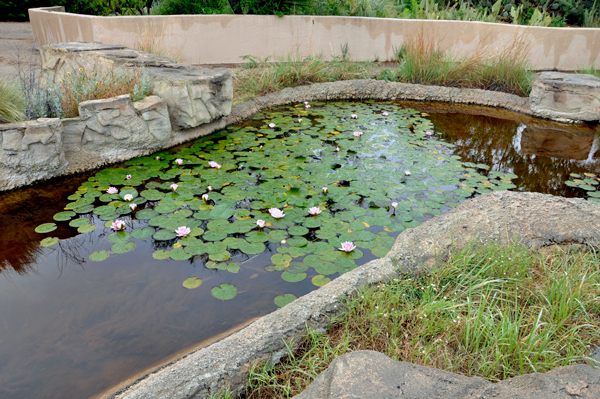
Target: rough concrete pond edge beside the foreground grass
530	219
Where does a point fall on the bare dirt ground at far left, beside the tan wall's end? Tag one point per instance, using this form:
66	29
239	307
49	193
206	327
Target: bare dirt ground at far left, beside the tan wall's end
17	48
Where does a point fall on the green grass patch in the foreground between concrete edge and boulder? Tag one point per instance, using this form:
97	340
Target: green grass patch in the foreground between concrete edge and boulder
496	313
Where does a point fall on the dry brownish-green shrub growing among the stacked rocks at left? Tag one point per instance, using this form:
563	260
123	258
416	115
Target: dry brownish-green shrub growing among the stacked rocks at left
84	86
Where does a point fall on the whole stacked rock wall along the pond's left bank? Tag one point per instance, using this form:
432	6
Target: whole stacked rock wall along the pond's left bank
115	129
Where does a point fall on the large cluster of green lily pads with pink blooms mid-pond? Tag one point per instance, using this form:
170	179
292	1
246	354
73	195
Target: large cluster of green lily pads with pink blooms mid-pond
367	187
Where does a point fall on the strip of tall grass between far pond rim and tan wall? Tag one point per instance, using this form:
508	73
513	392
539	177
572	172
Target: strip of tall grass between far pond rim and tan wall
418	61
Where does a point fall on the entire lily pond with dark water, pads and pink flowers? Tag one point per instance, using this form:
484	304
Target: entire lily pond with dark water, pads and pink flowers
109	273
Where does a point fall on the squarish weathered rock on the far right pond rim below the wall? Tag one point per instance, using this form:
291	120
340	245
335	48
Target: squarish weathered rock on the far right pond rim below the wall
566	97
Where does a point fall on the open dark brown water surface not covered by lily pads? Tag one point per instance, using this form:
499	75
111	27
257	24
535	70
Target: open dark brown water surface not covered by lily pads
71	328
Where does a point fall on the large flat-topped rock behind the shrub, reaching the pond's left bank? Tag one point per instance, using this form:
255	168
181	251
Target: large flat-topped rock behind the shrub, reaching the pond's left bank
194	95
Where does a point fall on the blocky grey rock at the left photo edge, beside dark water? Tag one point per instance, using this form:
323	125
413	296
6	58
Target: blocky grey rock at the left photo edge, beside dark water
30	151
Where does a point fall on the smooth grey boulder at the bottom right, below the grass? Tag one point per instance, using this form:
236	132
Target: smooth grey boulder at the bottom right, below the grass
368	374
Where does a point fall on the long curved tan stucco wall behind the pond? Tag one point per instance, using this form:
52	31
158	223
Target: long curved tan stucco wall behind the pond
216	39
